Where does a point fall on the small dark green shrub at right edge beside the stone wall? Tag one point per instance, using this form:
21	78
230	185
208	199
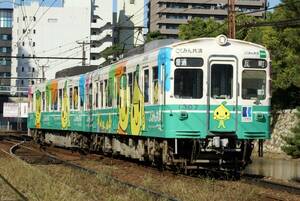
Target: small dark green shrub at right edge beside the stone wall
292	147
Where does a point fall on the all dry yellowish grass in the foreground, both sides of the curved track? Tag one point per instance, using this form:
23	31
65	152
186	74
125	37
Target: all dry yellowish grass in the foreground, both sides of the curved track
57	182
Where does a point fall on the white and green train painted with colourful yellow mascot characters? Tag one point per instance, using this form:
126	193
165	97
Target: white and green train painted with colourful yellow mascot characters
189	105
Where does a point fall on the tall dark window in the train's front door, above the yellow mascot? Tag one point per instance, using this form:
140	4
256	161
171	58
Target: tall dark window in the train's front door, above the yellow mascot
221	81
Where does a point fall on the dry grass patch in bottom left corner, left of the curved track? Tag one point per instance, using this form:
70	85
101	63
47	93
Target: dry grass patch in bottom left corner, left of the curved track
55	182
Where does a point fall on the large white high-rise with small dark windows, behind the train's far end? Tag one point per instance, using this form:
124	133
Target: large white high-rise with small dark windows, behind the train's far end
74	30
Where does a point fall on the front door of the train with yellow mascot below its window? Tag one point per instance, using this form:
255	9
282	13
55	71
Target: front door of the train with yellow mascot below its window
222	95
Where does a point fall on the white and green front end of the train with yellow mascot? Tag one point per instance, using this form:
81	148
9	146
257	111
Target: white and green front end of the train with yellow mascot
218	102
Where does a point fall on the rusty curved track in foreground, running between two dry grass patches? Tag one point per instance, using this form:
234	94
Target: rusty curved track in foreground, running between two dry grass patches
33	156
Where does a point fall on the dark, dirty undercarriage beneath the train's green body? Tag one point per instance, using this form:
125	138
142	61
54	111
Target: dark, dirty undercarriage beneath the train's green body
220	152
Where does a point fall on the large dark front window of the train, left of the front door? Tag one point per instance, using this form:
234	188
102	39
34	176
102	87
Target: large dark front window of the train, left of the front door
188	83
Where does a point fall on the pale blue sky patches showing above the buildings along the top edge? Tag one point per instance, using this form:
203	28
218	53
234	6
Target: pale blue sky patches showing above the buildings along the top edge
8	4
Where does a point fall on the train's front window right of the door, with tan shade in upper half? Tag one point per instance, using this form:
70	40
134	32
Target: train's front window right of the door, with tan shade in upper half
253	84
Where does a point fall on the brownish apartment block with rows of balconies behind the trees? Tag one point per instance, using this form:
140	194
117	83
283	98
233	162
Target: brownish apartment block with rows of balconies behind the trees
166	15
